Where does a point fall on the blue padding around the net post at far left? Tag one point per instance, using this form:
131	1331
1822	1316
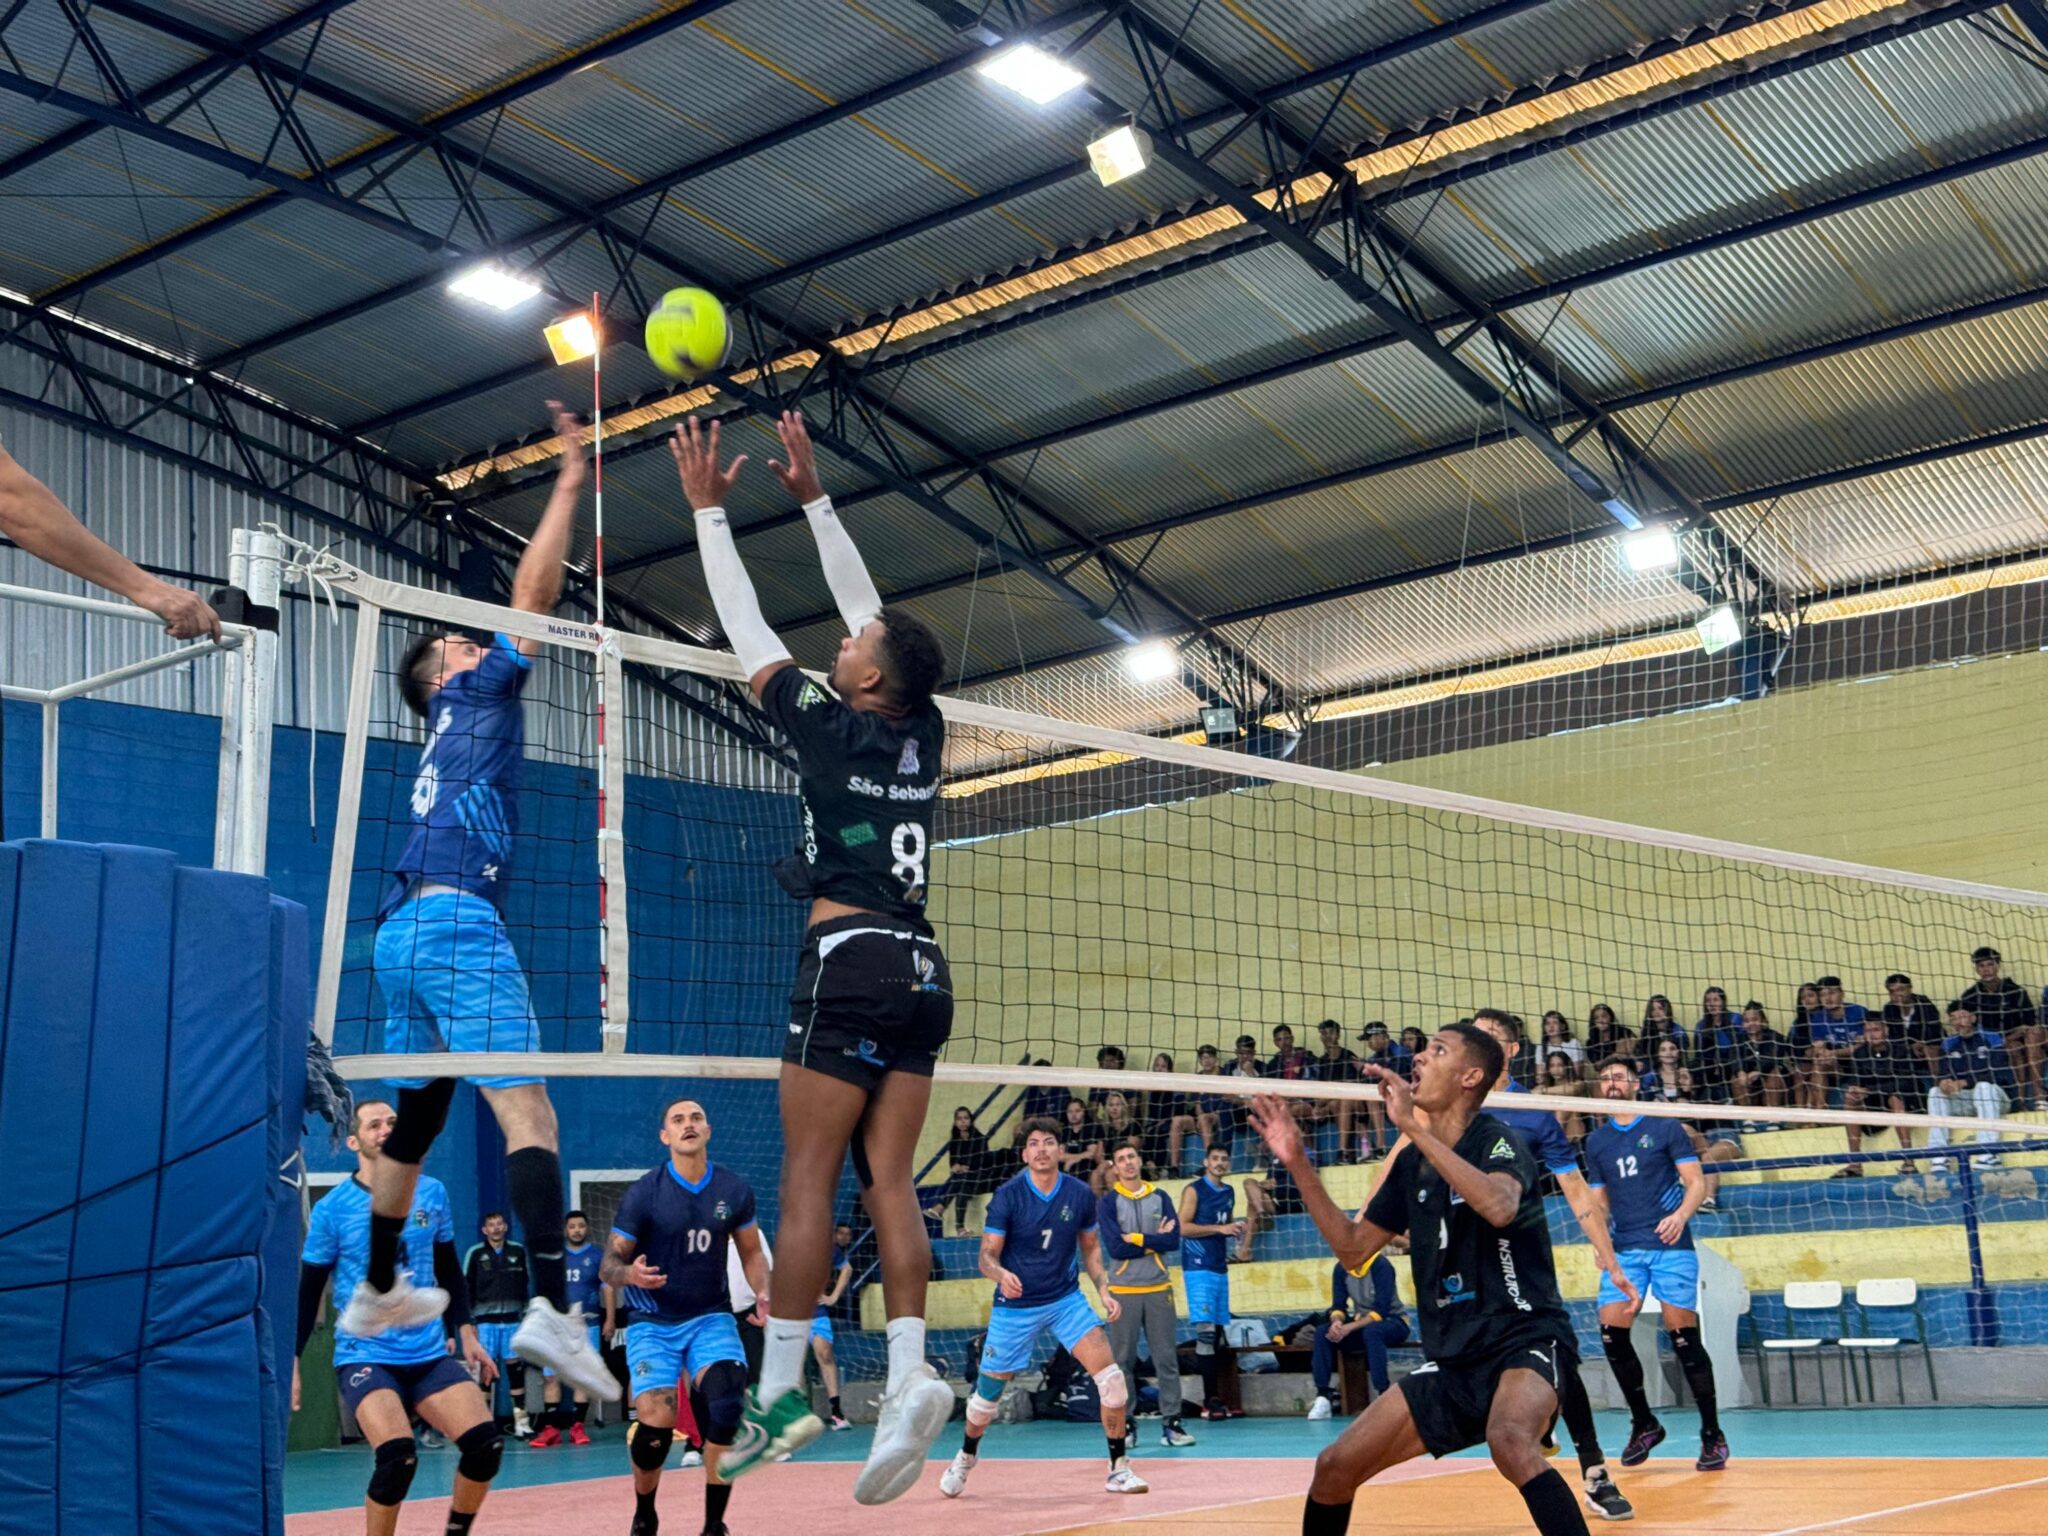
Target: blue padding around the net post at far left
153	1054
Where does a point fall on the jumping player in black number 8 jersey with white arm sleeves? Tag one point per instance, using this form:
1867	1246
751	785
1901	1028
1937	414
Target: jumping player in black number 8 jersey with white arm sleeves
873	998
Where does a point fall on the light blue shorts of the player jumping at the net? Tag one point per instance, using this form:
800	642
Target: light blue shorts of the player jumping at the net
452	982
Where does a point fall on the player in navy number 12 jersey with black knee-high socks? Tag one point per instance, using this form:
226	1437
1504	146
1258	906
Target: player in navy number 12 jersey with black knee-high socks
1648	1175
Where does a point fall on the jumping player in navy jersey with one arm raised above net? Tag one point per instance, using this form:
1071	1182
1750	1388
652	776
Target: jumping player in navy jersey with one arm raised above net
445	964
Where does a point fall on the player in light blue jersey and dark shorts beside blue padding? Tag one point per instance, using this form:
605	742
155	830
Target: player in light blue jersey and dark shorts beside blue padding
404	1371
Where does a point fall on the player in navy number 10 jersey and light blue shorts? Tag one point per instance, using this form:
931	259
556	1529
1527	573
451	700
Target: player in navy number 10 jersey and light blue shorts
667	1256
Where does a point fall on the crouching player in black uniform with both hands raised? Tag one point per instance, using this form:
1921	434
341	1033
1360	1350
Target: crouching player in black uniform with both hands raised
1494	1328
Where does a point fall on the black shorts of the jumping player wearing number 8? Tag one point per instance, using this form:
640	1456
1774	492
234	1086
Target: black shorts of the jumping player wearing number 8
873	996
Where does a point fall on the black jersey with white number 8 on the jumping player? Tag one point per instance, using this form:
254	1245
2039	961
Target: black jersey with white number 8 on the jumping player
869	785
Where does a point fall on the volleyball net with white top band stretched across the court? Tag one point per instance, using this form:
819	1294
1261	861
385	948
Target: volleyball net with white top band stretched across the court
1129	916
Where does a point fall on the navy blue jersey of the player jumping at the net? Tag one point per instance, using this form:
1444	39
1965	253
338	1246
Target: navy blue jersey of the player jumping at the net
466	794
